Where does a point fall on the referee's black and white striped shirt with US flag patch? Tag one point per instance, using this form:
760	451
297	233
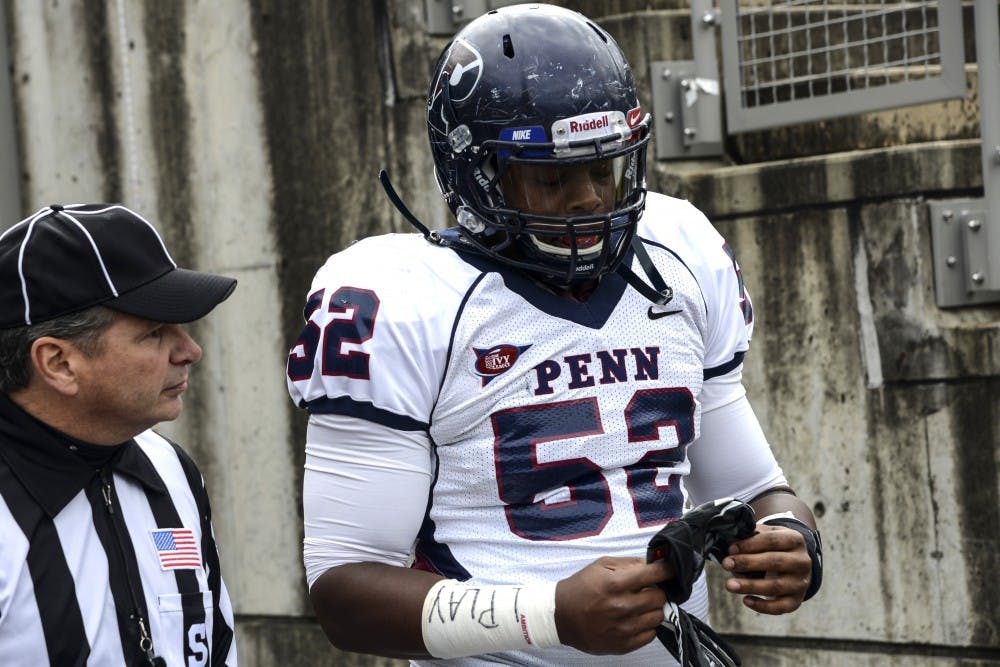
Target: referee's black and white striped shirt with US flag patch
106	567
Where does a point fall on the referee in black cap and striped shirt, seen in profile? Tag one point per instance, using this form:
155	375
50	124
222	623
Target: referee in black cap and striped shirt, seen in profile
107	555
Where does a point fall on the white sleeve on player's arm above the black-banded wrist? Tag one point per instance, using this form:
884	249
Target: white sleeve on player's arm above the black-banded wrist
731	457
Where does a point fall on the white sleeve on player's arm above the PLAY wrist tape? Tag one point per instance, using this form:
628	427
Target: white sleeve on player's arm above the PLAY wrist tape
364	492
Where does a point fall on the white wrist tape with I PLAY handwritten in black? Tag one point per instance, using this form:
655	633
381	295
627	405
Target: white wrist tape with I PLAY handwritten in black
462	619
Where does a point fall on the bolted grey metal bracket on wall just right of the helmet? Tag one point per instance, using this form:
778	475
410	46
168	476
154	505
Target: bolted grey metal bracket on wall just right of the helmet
687	111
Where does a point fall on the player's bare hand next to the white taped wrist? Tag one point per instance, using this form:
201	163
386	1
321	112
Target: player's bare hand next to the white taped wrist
611	606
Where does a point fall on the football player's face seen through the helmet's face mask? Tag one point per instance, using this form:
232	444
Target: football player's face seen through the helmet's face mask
588	188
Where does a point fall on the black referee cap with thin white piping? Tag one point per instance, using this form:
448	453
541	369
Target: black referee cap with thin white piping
64	259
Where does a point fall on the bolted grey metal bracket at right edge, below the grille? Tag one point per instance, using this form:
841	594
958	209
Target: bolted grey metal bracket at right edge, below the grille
960	251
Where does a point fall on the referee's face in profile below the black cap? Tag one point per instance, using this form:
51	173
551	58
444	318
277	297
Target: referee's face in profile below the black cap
136	378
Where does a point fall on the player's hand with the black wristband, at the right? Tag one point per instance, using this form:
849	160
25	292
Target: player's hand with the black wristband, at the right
771	569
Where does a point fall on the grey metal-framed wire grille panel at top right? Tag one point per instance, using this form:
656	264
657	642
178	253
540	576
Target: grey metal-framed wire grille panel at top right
797	60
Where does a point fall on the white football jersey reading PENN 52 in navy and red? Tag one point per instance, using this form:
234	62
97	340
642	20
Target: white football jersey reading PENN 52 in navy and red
558	430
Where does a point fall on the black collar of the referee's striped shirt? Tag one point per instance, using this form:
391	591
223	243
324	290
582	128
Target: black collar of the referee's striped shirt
40	458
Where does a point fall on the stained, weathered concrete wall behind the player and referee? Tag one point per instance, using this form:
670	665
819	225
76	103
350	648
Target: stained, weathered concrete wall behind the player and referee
251	132
